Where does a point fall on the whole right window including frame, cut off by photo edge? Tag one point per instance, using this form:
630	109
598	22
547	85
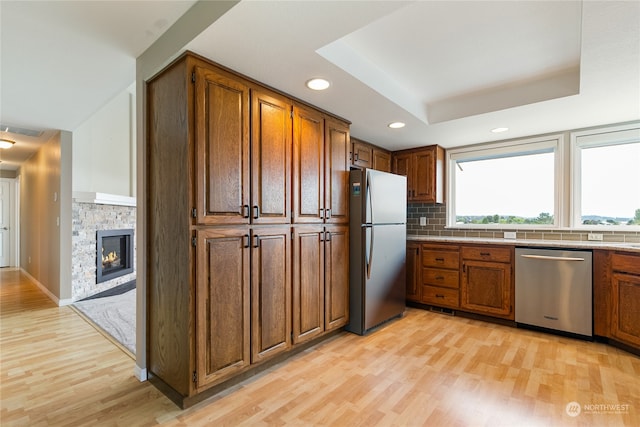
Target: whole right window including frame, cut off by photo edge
606	178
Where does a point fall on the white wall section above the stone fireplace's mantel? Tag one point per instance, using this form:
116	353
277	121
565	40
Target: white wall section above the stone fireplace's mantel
104	149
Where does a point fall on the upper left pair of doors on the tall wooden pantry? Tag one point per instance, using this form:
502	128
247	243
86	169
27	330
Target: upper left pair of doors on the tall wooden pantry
223	149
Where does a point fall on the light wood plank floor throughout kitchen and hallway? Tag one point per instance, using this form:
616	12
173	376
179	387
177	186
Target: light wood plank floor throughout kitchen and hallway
425	369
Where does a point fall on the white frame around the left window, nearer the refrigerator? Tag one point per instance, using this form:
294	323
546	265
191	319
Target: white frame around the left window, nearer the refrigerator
556	142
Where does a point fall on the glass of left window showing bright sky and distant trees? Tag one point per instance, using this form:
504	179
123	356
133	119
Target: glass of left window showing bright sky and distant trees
509	189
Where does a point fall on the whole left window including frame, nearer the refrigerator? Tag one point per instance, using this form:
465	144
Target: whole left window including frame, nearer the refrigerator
505	184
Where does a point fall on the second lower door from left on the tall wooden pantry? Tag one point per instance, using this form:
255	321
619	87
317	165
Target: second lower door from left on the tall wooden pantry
270	292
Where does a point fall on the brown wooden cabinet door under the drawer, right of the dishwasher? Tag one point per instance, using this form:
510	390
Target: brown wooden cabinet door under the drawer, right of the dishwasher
625	322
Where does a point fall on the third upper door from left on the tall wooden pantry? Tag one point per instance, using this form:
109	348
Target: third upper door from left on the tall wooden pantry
308	166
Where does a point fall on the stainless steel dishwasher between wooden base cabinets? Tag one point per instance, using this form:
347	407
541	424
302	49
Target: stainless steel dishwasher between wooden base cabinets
554	290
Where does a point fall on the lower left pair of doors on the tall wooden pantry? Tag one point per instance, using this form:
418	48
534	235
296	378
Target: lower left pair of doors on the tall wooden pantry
243	299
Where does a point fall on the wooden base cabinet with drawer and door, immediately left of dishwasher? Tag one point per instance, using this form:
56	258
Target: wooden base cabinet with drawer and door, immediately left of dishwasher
486	285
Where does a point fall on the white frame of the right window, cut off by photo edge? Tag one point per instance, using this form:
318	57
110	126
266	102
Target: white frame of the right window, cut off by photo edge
593	138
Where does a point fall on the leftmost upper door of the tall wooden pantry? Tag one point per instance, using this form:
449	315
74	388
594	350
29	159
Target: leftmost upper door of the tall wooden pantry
221	149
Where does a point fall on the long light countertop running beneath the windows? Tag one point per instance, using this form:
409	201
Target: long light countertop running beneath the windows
631	247
